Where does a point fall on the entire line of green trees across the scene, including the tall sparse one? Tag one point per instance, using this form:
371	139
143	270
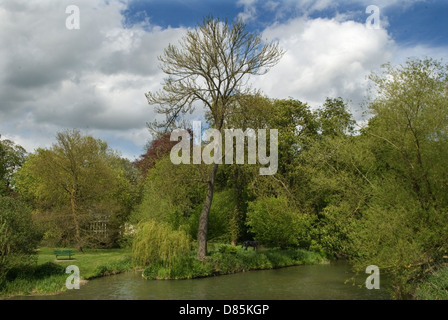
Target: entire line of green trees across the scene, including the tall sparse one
374	194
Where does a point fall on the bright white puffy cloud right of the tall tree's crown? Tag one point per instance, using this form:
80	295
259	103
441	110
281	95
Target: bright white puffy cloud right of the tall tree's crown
324	58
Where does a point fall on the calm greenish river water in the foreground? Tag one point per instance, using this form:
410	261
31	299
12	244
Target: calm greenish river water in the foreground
310	282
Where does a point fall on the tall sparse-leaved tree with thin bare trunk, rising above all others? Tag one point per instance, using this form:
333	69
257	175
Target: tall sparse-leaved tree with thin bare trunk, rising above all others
211	66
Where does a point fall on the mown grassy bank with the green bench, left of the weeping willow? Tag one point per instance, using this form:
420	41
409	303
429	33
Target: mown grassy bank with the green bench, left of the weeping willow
48	275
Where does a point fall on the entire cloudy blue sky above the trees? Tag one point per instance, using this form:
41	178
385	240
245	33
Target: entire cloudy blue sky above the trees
94	78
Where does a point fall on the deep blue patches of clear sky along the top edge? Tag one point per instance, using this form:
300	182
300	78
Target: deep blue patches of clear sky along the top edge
423	22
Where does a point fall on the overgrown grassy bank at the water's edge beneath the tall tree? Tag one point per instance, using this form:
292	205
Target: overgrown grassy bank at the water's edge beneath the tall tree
228	261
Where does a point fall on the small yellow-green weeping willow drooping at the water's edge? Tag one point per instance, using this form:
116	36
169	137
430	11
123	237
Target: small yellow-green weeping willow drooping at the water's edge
158	241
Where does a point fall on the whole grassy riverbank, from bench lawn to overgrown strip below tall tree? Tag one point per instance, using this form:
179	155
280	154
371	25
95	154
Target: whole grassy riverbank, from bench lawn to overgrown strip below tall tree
48	276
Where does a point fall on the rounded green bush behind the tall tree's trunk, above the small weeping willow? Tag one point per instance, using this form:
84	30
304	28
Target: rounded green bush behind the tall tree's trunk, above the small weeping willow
174	195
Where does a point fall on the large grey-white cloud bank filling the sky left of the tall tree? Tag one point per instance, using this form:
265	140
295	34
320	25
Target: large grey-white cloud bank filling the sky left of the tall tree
94	78
